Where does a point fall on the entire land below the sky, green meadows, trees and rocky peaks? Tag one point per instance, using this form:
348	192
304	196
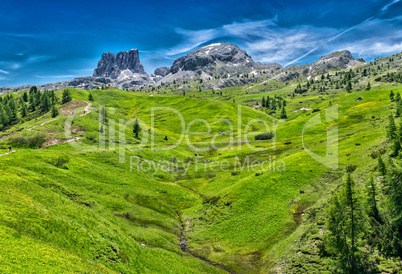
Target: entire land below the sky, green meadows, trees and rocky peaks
215	164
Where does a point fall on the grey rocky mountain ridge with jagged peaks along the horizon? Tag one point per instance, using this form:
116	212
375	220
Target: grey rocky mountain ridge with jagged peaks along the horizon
225	62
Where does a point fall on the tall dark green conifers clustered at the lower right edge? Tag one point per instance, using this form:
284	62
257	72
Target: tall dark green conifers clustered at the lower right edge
361	221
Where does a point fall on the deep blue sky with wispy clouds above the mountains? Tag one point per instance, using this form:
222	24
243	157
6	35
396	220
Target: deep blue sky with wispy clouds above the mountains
49	41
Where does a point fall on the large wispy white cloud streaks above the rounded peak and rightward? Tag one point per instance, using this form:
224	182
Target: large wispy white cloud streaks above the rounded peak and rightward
267	41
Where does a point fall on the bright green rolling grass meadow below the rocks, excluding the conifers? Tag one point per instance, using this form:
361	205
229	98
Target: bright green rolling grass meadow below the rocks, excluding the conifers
82	194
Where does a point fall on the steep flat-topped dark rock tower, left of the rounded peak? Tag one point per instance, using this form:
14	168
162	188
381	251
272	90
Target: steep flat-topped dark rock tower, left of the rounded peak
112	65
